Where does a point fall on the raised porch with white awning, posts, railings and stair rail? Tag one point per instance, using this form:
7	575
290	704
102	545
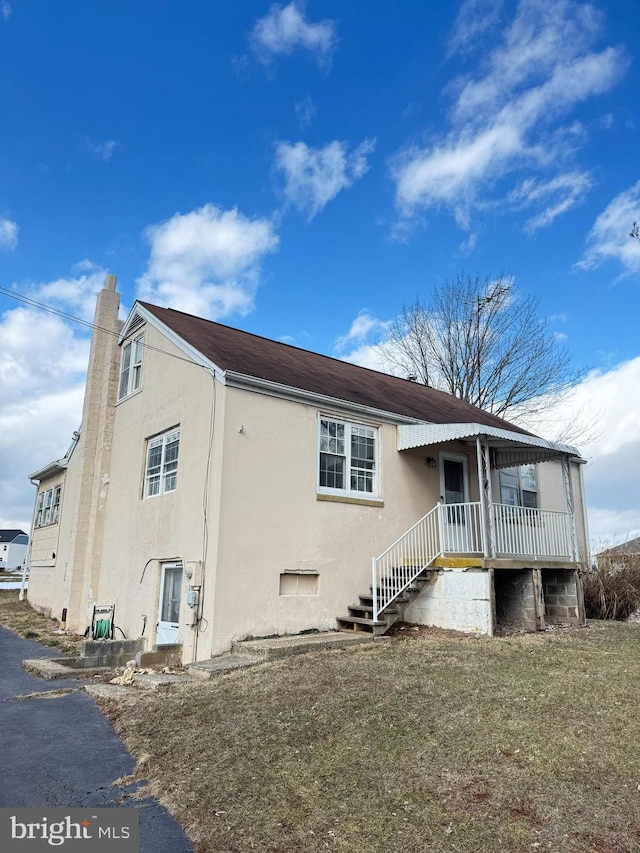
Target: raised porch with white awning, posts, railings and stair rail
487	533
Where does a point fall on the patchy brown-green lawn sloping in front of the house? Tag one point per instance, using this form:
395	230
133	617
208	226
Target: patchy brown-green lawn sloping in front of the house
439	743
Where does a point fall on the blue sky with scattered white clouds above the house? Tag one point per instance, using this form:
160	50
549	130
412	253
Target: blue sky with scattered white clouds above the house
302	170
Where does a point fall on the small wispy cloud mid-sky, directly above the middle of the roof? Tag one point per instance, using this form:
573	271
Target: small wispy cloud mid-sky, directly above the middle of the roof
314	176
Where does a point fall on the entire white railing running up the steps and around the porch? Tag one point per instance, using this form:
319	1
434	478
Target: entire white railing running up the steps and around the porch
520	532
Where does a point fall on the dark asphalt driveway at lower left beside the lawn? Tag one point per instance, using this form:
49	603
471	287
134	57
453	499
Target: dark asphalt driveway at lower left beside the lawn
62	752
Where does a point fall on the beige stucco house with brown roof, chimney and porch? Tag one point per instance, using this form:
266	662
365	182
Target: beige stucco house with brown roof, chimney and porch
224	485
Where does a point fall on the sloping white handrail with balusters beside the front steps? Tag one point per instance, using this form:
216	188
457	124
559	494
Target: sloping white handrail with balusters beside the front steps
397	567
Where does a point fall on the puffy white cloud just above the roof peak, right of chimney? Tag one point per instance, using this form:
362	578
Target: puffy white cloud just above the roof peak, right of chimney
206	262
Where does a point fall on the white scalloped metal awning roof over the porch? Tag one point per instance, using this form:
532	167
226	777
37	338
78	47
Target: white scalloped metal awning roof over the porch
509	448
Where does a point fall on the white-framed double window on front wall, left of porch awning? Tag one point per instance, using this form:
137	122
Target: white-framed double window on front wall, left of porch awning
347	458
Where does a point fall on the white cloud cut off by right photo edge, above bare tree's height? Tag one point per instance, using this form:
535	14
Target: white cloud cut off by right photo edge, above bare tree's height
609	238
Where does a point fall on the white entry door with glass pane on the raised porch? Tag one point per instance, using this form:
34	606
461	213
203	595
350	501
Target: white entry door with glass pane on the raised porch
454	492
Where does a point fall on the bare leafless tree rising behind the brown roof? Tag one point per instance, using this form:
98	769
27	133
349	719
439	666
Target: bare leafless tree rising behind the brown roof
484	342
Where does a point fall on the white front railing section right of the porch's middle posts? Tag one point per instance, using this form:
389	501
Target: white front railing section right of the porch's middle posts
528	532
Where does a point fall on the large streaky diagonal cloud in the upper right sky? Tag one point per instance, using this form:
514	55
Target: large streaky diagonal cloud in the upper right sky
508	116
